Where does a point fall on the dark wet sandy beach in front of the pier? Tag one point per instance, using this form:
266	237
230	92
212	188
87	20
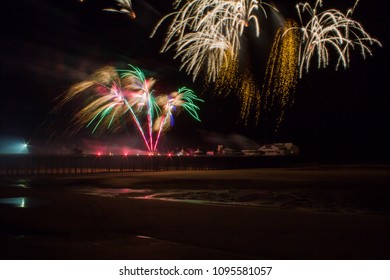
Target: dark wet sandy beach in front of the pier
308	212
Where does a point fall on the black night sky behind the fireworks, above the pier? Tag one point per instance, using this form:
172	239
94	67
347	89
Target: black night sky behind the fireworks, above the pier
47	46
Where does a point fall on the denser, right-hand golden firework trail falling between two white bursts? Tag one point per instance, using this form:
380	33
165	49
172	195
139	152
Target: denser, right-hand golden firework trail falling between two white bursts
282	69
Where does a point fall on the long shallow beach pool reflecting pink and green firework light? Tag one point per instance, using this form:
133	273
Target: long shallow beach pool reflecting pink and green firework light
245	197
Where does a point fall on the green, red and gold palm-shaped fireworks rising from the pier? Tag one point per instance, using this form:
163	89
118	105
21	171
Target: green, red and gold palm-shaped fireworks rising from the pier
116	97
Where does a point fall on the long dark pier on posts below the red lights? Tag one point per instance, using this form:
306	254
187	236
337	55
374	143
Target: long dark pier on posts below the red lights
84	164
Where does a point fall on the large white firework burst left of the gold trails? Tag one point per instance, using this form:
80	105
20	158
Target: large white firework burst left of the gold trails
203	31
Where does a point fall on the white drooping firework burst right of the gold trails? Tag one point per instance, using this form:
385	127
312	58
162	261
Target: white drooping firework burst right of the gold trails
330	28
